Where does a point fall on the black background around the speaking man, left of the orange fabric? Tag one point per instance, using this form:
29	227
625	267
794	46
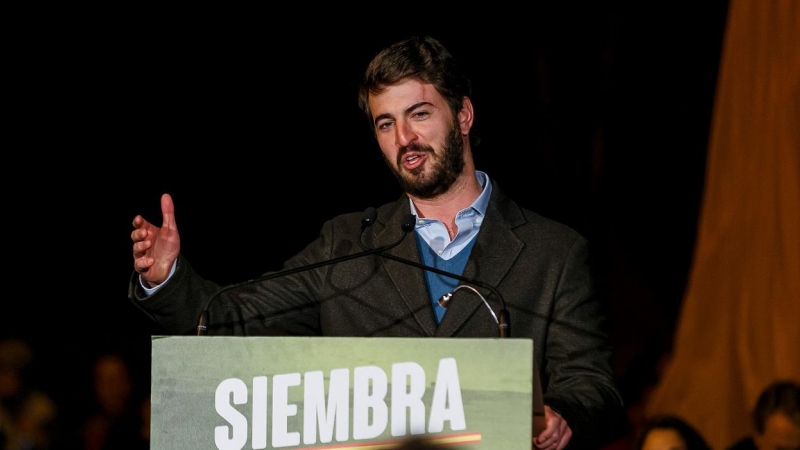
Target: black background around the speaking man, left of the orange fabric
594	114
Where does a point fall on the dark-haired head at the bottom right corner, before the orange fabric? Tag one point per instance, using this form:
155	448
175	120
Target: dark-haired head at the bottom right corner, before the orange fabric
776	417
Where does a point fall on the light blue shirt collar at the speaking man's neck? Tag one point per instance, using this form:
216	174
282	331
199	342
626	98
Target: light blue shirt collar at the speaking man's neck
468	222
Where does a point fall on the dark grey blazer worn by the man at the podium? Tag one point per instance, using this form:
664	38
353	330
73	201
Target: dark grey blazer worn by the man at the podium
540	267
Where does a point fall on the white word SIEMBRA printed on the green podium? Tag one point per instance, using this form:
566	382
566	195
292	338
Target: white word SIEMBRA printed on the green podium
369	390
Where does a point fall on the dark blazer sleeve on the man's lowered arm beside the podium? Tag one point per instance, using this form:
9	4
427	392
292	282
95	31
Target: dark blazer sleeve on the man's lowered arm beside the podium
578	355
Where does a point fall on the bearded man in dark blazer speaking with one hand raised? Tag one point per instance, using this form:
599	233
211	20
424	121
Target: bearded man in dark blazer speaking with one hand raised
418	104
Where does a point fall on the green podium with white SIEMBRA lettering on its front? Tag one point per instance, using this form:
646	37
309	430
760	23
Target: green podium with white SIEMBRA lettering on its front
341	393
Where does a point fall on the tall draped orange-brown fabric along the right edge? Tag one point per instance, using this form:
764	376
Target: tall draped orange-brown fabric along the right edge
739	327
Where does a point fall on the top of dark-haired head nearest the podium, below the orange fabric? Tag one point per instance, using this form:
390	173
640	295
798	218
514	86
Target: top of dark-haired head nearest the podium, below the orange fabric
669	432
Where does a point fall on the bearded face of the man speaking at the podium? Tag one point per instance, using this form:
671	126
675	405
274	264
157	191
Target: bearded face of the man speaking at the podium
421	141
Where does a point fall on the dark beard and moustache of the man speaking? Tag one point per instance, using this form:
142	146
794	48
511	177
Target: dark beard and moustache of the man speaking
442	173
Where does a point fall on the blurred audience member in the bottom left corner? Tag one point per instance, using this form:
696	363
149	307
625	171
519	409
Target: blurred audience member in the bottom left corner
28	416
